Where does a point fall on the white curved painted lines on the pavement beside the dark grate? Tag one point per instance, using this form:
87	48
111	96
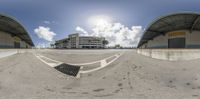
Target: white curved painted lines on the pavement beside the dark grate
103	62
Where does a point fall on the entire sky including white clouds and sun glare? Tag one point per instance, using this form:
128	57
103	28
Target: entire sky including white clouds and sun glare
119	21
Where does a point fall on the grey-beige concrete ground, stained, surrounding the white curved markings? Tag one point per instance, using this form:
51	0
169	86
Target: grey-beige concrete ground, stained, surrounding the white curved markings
131	76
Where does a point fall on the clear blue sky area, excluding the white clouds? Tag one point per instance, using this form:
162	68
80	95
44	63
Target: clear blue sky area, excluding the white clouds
63	16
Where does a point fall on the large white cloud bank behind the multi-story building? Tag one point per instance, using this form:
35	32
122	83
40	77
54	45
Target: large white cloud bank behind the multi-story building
117	33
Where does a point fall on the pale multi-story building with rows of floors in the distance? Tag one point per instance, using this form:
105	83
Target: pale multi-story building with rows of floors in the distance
76	41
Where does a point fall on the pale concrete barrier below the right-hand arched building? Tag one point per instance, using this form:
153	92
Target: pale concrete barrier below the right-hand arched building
171	54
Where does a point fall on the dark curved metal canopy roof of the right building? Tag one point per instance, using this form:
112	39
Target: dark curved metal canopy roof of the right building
172	22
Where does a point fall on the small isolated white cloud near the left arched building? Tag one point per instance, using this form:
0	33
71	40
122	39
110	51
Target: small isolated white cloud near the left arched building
44	33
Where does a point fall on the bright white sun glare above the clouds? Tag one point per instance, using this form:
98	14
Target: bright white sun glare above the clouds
99	21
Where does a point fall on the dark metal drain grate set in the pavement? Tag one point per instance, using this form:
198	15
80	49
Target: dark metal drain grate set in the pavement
68	69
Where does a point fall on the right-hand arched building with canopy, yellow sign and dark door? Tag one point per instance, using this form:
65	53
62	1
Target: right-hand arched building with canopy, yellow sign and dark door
179	30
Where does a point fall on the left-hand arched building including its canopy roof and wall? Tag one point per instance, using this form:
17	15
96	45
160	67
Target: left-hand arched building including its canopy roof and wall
13	34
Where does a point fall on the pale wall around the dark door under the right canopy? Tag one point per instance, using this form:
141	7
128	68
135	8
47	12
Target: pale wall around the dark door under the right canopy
192	40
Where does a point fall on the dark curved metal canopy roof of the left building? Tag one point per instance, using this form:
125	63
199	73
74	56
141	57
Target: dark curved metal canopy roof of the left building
12	26
